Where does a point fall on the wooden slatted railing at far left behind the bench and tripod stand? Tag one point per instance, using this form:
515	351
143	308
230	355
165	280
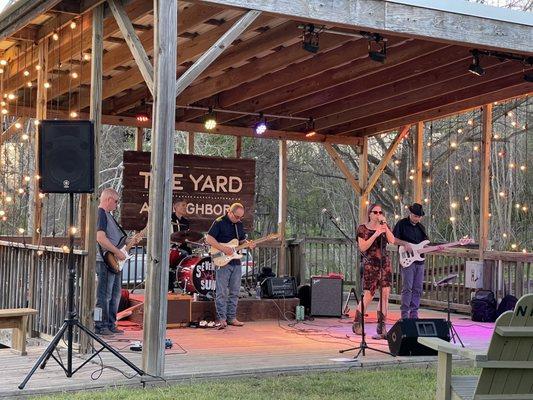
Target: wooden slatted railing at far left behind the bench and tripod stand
36	277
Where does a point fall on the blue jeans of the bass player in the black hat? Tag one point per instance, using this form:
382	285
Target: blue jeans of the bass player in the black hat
412	283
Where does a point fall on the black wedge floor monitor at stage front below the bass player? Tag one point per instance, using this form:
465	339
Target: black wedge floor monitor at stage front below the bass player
403	336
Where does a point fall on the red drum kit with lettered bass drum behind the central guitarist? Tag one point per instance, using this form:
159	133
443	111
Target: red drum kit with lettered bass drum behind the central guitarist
195	273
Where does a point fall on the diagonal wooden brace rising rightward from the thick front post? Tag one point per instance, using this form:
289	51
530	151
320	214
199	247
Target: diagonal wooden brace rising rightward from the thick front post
215	50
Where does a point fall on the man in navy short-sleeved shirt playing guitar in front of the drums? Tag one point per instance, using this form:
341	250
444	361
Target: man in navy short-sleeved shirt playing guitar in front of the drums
228	278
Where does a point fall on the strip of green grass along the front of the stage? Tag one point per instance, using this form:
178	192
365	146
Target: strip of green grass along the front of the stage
396	383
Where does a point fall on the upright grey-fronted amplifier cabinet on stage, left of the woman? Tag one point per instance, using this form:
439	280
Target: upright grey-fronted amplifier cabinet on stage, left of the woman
326	296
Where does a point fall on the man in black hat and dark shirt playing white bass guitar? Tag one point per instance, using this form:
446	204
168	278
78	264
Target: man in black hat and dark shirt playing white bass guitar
411	230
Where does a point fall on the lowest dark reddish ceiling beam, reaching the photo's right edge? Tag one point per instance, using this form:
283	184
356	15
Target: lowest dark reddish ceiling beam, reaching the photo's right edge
519	89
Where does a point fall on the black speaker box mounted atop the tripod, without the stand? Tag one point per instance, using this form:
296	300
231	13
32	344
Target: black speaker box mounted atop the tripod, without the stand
66	156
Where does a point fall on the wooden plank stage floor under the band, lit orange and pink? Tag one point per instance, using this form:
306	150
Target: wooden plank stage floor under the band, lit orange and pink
259	348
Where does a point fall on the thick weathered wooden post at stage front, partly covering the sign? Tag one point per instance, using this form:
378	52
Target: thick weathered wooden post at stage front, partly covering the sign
160	195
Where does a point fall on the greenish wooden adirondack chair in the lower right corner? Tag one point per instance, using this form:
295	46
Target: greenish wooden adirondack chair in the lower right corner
507	366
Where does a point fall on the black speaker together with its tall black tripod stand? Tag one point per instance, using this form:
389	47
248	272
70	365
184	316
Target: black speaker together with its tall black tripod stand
66	165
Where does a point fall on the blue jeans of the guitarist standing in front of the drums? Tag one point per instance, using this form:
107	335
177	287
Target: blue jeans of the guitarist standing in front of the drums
228	285
